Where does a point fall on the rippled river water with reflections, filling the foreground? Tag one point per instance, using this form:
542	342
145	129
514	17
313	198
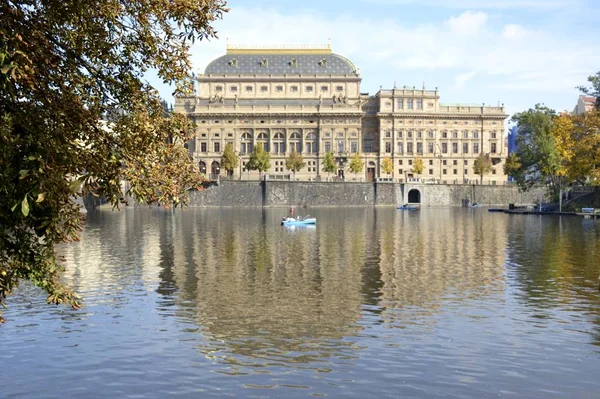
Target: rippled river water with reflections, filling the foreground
371	303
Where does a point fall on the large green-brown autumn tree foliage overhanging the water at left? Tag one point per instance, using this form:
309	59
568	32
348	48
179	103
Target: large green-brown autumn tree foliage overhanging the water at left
65	66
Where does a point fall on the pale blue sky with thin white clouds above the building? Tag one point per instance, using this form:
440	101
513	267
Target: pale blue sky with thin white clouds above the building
515	52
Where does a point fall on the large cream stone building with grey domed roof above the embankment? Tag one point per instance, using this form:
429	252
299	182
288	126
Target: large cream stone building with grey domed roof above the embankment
309	99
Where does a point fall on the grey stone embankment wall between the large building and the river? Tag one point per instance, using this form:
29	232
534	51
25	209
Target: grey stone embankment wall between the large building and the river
286	193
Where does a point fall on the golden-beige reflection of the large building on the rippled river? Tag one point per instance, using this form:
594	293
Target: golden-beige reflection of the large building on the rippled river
263	294
